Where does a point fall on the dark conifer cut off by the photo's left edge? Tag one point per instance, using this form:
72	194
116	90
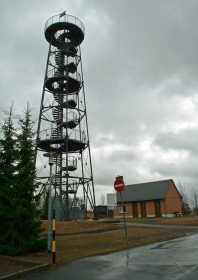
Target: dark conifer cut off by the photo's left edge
8	191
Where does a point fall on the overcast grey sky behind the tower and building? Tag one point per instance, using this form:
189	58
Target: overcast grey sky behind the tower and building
140	64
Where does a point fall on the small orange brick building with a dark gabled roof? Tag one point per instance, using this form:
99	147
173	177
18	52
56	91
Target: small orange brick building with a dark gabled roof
153	199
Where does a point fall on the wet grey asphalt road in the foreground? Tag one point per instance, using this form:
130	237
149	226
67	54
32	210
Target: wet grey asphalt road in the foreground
170	260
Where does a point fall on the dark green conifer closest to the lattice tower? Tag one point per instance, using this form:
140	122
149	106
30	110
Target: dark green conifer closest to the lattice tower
27	225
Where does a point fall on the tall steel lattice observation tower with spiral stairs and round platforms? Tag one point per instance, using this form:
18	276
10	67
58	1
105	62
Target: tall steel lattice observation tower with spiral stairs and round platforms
62	133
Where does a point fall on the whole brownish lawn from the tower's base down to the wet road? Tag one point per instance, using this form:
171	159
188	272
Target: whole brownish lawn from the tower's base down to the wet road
81	239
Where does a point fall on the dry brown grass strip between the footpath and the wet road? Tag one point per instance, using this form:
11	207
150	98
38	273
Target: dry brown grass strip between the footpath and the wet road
71	247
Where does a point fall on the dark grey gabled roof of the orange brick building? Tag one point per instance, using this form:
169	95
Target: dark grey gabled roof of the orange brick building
145	191
